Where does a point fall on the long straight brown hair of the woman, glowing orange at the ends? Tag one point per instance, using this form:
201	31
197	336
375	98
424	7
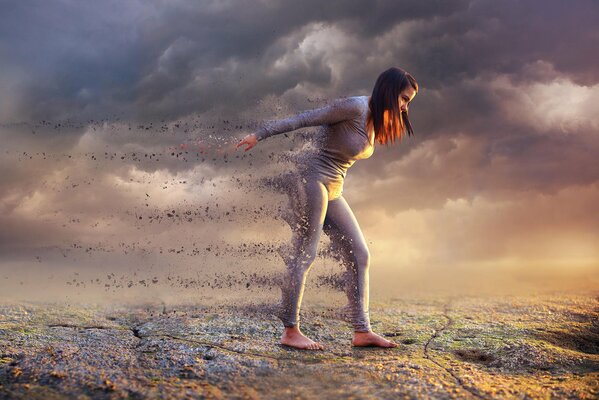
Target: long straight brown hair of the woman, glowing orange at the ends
390	123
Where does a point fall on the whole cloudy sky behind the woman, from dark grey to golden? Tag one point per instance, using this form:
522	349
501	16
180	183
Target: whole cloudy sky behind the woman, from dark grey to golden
96	192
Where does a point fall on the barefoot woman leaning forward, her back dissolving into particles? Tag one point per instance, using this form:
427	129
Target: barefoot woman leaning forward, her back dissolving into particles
351	126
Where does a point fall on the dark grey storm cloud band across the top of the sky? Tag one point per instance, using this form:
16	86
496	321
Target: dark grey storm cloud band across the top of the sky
169	59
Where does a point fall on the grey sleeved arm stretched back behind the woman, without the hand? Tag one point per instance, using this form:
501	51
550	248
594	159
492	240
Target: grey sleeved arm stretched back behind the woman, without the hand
339	110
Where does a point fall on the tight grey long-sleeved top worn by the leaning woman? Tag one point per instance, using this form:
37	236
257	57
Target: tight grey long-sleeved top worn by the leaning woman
344	139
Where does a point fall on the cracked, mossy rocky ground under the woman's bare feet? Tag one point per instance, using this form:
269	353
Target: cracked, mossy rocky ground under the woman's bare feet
479	347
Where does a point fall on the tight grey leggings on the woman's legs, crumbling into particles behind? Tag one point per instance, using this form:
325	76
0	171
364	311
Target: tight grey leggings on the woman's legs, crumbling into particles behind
313	213
